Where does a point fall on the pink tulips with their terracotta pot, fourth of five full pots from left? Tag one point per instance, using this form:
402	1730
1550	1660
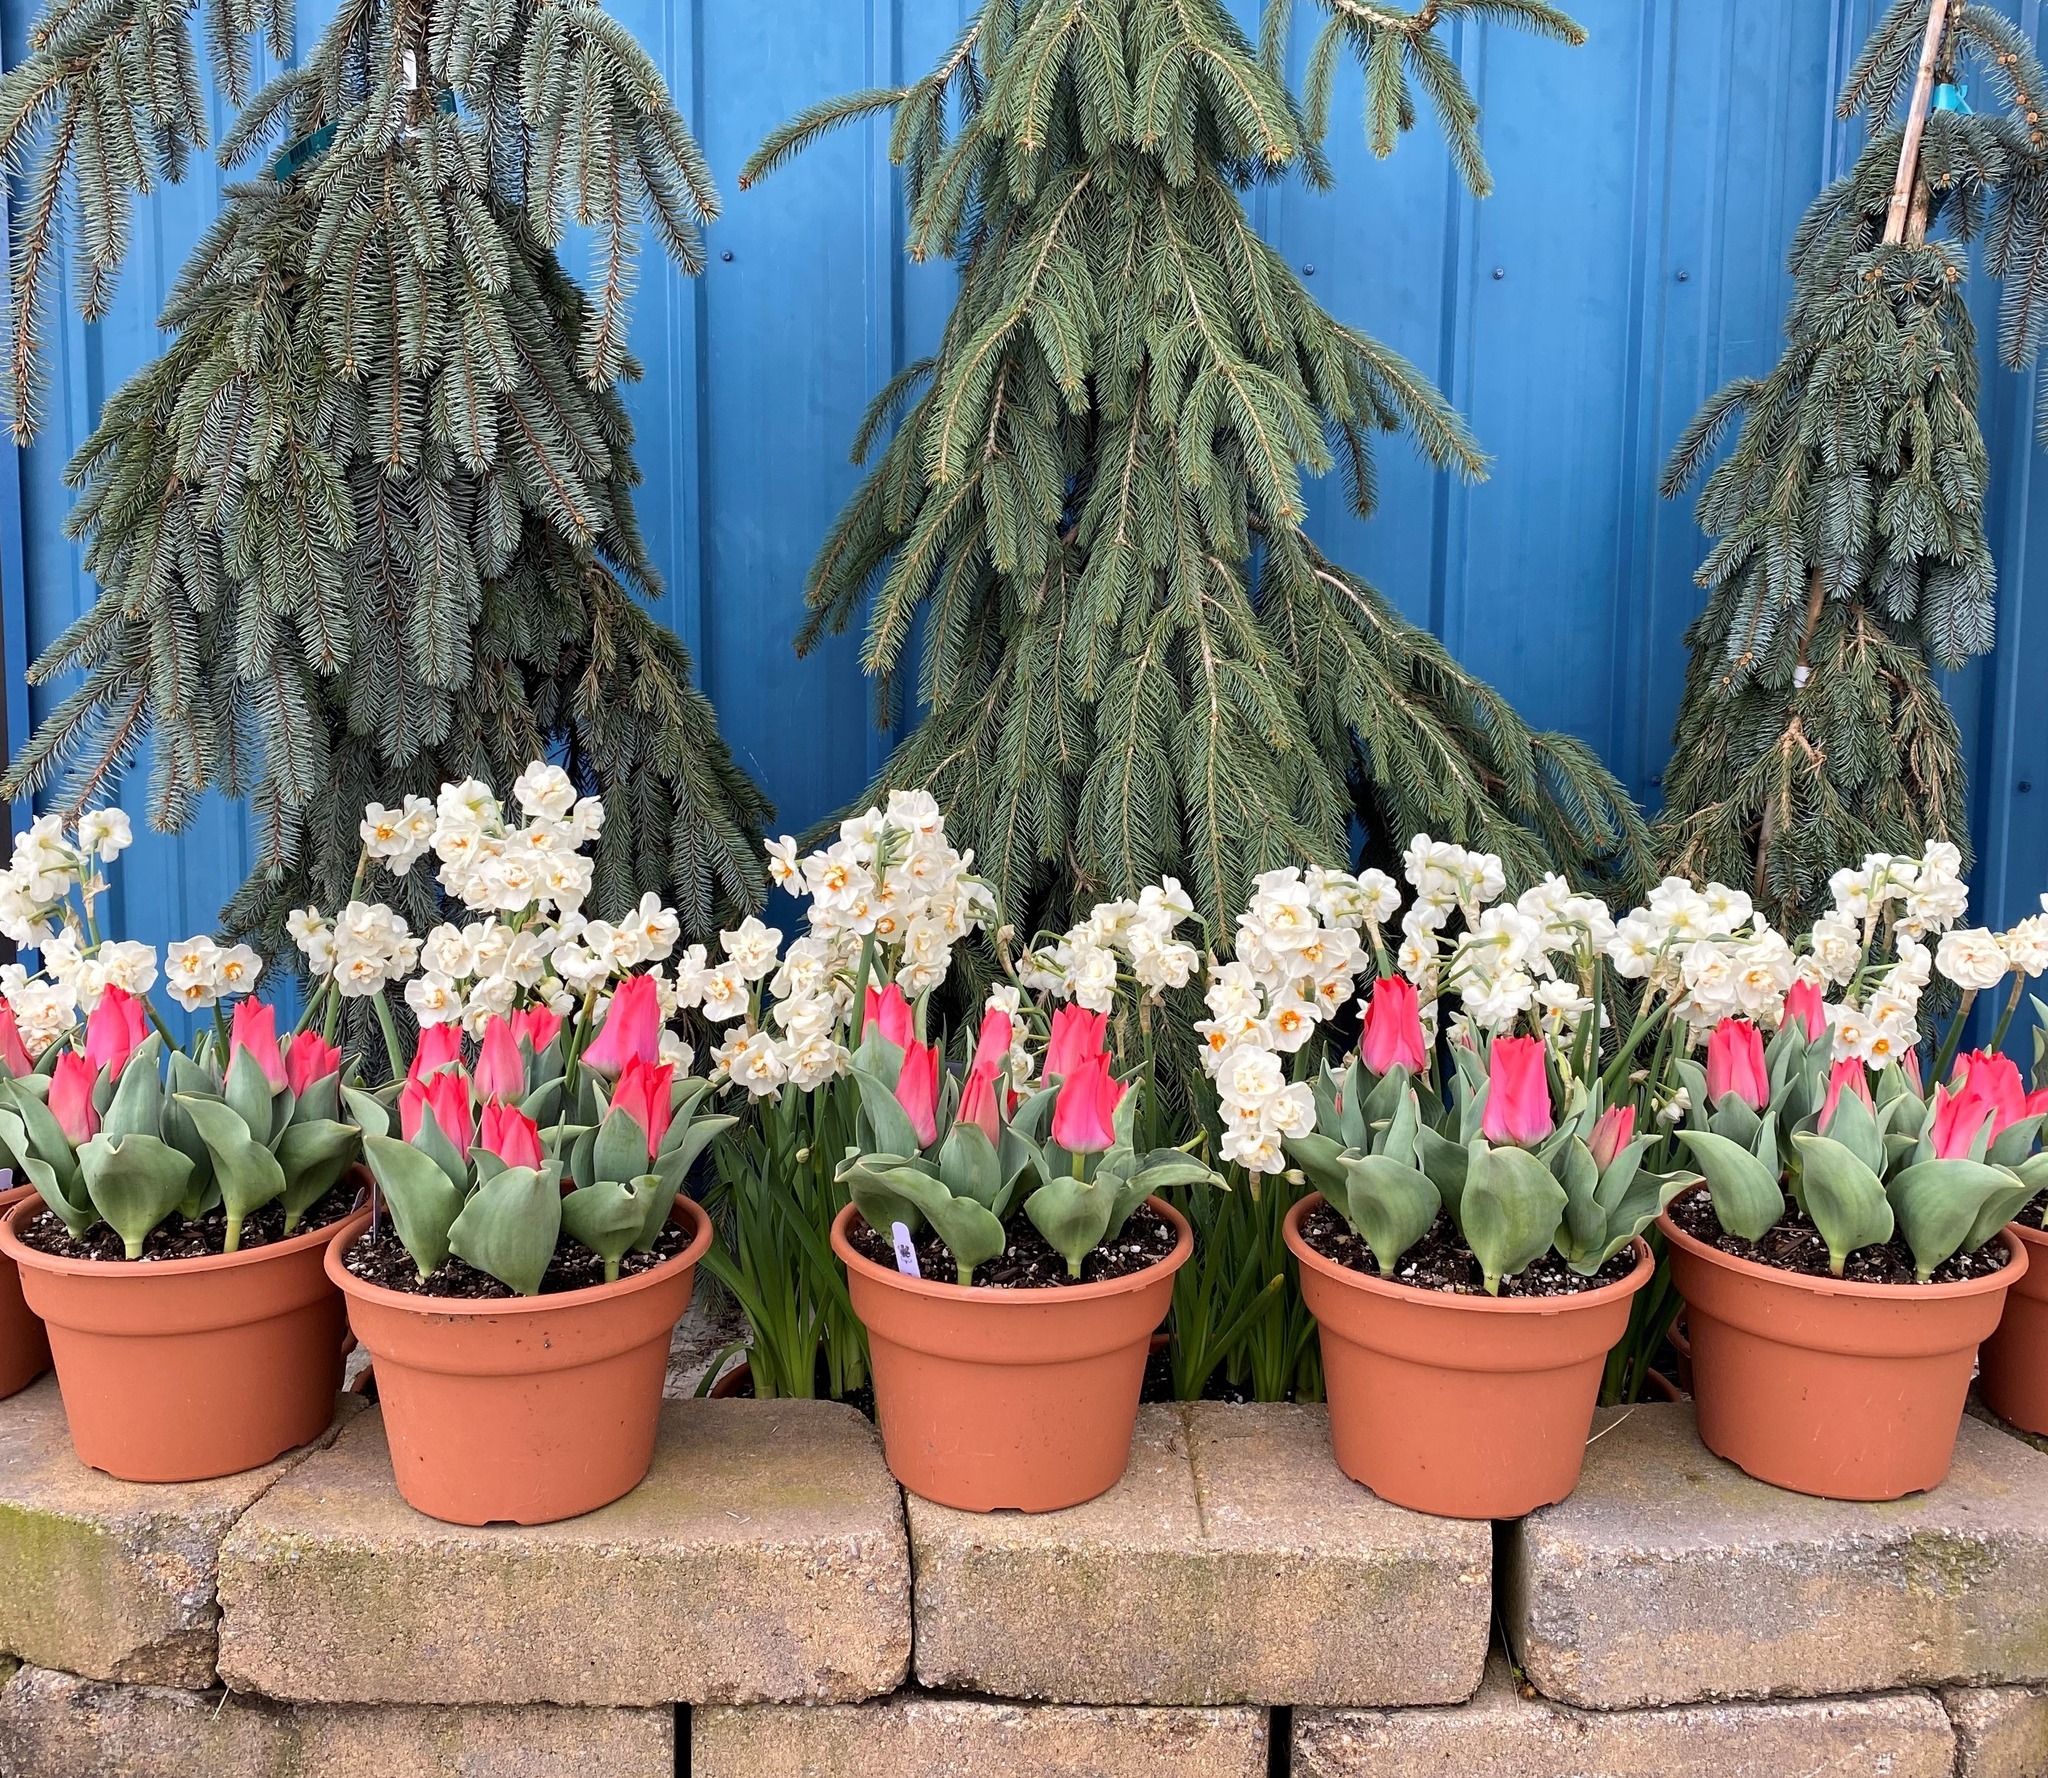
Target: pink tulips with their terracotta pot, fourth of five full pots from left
1469	1265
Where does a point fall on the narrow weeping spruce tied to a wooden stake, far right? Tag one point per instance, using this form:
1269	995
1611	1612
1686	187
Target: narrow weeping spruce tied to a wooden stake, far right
1850	554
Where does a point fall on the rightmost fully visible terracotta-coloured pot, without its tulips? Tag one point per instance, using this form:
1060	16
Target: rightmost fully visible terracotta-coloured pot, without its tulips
1848	1392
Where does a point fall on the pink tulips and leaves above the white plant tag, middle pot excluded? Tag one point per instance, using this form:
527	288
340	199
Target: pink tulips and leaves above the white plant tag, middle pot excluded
959	1158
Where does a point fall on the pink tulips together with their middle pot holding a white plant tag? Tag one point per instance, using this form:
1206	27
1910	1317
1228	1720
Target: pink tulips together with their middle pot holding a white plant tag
1019	1392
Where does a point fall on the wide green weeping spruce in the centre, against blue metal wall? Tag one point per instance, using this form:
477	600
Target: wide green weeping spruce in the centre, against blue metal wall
1136	661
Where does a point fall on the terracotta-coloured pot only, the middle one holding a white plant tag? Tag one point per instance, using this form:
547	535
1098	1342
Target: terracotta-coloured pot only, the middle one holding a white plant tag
1009	1398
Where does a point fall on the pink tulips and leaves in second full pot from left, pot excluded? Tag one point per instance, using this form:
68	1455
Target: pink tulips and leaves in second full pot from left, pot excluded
503	1160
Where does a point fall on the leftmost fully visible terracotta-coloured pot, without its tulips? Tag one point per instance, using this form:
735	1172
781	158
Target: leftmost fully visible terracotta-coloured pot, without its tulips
187	1369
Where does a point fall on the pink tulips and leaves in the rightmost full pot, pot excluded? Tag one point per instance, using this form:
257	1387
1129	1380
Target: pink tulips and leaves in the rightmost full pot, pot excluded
1865	1162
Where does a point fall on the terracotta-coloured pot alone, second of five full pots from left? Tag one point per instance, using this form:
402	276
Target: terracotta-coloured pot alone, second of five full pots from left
521	1410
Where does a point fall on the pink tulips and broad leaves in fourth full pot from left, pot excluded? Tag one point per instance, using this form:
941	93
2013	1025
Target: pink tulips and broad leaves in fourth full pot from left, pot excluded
1514	1177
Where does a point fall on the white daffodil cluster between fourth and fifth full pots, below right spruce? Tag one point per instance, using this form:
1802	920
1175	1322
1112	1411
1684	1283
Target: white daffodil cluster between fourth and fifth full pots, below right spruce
1709	951
